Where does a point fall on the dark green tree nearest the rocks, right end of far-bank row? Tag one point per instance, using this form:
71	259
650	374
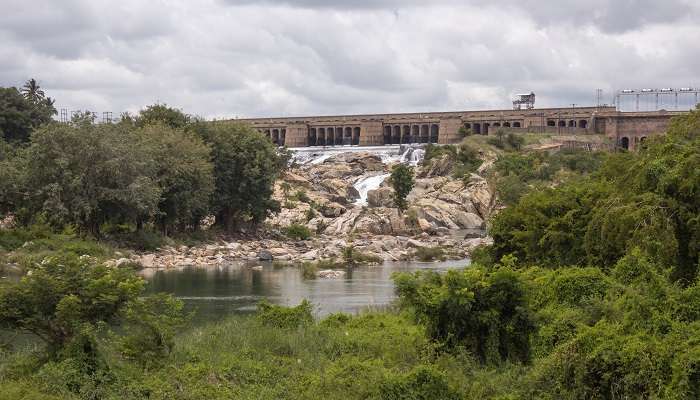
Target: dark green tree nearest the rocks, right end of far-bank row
246	165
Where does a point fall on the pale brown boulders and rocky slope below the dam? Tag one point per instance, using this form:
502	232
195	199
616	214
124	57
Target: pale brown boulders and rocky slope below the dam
345	200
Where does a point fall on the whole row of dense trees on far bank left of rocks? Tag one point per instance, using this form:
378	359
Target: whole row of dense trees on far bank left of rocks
156	170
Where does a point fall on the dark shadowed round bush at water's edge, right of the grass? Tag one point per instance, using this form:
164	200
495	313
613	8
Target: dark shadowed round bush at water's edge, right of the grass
486	312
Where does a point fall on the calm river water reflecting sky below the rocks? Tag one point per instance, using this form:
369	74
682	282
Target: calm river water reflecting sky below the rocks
214	292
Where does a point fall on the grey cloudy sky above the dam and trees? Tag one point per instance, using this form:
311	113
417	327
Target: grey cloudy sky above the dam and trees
245	58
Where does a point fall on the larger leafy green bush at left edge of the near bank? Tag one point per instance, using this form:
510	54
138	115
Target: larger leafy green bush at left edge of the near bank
62	300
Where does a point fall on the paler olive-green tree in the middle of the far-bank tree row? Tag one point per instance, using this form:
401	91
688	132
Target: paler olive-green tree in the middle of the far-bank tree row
183	173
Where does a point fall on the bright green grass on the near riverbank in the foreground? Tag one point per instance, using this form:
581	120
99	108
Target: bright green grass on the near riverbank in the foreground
275	354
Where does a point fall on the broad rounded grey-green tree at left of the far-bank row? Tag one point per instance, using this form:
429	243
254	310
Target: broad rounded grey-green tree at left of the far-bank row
86	175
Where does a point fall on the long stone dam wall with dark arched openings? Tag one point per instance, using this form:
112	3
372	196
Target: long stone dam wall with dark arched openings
626	129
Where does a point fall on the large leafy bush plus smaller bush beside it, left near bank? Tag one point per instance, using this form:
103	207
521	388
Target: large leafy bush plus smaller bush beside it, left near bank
66	302
